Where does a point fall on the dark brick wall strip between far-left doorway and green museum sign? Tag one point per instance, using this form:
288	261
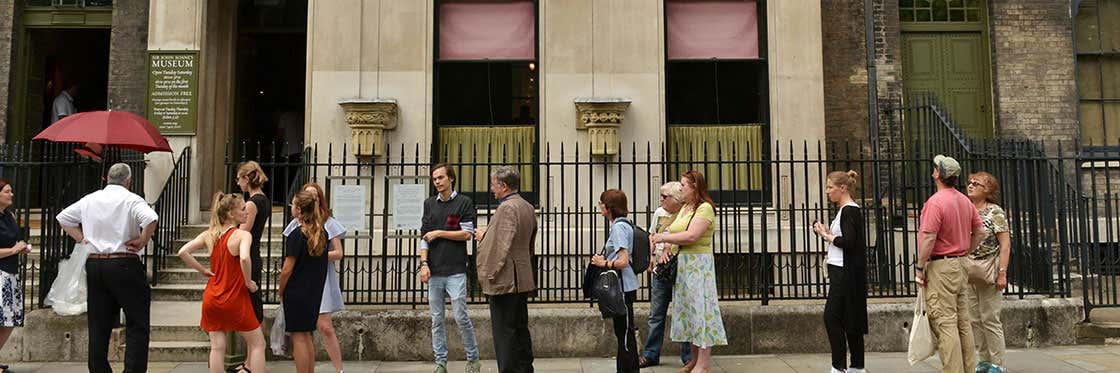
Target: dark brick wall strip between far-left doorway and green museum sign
128	45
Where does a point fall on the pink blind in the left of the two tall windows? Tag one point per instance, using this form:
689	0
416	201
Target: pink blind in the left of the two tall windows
487	30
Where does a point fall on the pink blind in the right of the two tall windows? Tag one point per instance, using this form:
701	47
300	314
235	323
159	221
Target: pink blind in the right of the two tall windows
713	30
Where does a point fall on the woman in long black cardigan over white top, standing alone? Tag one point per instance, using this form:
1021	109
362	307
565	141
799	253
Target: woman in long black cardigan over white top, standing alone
846	310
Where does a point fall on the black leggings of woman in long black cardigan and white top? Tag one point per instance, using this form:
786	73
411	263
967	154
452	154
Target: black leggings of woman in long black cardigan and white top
834	324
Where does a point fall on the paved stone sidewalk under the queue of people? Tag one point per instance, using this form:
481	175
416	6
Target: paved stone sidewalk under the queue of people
1051	360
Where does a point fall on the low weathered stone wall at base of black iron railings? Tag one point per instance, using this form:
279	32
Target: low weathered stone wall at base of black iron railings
578	331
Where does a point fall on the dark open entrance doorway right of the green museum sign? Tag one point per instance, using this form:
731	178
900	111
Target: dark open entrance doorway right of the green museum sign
270	83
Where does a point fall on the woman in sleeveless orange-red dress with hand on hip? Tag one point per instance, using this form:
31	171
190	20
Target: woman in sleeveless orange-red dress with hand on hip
227	305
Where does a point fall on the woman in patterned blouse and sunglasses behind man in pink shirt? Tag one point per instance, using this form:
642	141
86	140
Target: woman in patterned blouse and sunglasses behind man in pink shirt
985	300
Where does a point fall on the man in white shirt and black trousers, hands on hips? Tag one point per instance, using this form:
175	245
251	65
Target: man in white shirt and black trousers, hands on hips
118	226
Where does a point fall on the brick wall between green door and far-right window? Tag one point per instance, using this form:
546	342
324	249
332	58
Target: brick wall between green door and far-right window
1033	71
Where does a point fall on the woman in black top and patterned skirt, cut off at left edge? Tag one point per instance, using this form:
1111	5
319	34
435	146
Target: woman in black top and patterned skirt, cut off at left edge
12	291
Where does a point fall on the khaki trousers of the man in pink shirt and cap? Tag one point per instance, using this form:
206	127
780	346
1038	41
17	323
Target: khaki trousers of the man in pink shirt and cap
947	299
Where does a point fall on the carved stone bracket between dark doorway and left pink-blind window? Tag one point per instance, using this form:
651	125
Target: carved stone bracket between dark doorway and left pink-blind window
369	120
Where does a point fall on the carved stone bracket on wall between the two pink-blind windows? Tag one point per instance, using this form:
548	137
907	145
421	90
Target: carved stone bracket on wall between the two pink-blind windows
602	117
